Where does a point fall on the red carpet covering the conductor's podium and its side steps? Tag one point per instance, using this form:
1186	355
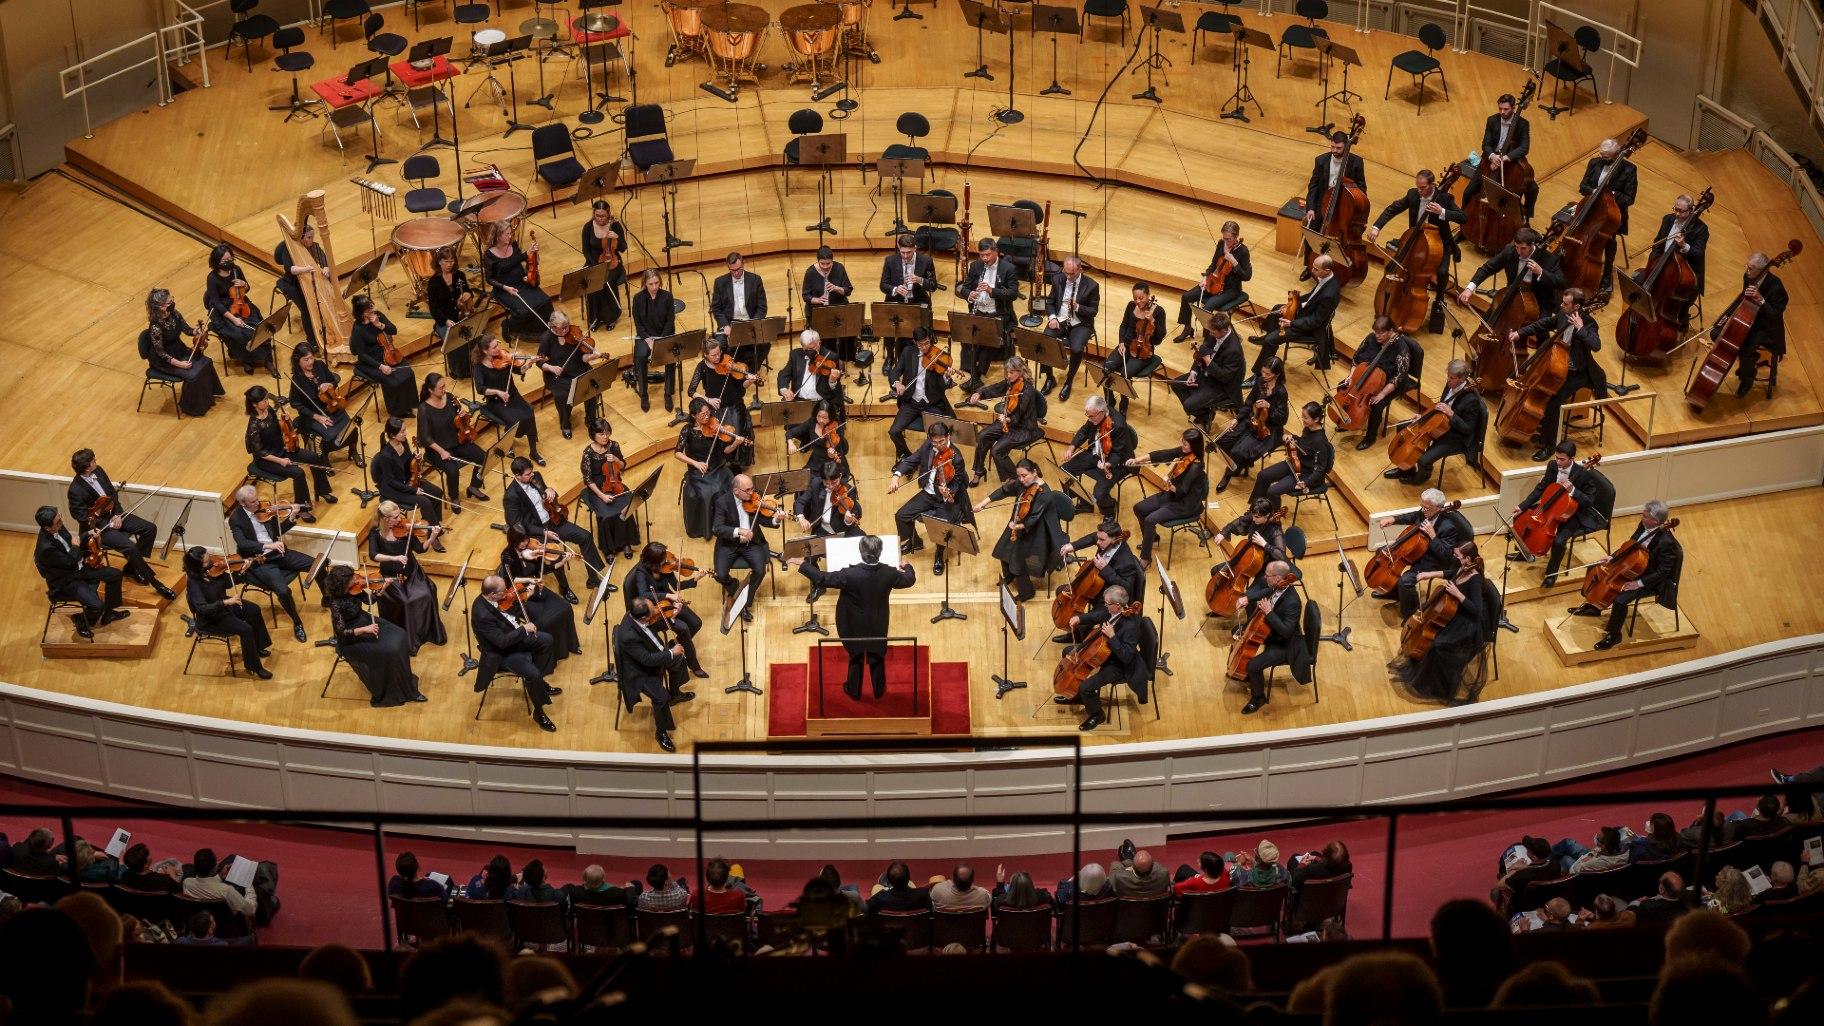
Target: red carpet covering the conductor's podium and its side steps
789	695
